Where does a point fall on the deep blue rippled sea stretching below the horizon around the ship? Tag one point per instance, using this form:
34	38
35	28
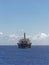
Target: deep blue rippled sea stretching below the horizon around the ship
36	55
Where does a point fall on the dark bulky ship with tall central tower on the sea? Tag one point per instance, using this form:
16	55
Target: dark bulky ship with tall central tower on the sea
24	42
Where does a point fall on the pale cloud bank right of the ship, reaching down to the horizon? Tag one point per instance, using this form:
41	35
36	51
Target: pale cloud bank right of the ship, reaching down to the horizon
40	39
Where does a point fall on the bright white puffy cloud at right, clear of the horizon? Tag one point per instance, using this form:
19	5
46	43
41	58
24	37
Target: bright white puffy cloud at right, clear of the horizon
40	36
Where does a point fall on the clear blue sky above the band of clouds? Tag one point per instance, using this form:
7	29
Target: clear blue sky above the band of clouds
32	16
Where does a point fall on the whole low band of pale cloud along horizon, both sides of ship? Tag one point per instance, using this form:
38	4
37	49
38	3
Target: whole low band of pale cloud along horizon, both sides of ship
36	39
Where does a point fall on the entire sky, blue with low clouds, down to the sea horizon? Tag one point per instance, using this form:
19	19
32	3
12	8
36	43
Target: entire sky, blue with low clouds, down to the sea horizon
19	16
